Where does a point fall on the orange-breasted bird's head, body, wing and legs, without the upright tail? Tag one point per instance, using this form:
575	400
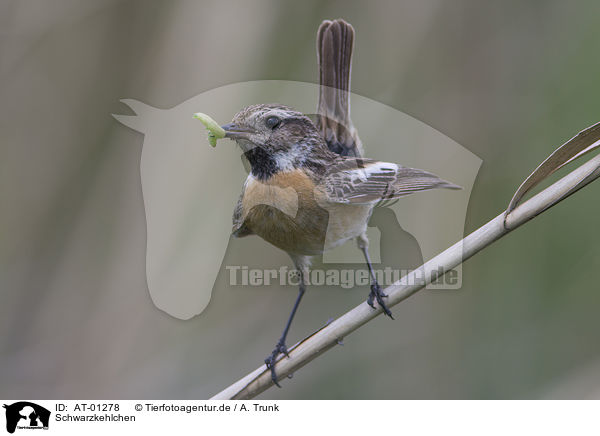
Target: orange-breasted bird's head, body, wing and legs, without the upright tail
305	199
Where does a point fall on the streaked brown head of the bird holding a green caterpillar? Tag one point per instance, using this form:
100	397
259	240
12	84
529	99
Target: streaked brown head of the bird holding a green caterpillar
274	136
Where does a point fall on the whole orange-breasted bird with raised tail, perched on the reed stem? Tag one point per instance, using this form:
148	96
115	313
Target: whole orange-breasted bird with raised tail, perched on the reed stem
309	188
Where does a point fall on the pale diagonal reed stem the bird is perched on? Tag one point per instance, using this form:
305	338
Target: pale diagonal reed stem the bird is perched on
325	338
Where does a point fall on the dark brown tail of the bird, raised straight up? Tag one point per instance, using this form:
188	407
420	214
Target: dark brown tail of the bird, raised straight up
335	43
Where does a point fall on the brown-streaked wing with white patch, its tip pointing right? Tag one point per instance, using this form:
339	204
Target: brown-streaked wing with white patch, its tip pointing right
364	181
